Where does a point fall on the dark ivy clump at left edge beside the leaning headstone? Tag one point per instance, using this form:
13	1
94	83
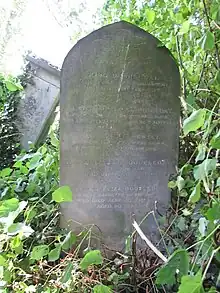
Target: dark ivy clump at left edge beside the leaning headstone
10	90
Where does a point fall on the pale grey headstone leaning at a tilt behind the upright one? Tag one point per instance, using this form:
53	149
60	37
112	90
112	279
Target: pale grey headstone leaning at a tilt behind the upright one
36	110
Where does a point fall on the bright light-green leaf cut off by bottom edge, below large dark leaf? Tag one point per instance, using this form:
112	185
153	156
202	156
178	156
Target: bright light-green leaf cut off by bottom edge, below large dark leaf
192	284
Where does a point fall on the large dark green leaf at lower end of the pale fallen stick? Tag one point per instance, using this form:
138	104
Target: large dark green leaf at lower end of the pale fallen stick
179	260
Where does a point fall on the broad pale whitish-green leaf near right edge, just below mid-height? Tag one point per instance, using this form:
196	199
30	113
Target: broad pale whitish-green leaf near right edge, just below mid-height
202	170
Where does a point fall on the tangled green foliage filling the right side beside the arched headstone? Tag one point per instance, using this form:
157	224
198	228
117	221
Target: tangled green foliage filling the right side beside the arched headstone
191	30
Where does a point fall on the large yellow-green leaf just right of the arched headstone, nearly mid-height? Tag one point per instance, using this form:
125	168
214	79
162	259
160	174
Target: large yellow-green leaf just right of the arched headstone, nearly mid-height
194	121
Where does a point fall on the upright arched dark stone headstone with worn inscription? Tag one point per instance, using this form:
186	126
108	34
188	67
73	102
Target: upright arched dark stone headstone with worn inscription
119	130
